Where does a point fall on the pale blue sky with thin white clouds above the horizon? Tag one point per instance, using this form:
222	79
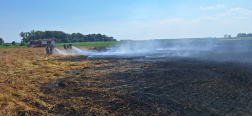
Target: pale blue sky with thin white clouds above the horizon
127	19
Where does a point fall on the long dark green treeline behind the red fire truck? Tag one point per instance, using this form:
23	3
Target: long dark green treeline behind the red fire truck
62	37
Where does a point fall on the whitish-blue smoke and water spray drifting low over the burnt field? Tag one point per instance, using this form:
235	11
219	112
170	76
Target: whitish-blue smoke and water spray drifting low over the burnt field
217	50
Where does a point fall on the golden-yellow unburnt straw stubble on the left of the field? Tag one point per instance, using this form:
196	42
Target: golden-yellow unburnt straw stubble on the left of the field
22	73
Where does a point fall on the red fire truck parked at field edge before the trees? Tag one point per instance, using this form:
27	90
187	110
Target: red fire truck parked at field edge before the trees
41	43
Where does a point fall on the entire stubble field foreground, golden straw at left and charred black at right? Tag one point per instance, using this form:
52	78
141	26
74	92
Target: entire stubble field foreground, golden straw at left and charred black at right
34	84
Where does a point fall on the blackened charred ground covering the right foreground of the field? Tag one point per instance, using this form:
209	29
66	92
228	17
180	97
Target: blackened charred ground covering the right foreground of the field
175	87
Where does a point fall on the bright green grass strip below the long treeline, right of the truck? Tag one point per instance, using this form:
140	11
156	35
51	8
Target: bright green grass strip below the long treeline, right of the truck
94	44
